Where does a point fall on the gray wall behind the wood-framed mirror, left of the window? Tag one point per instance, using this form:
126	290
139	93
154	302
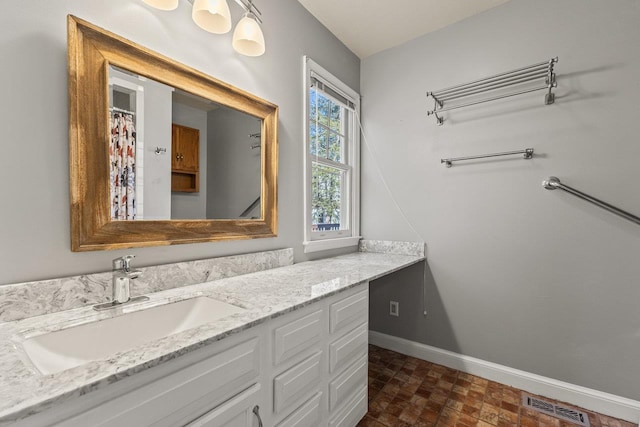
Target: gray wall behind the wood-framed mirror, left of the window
34	217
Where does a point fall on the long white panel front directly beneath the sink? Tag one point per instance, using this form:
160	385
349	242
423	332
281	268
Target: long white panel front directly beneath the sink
182	395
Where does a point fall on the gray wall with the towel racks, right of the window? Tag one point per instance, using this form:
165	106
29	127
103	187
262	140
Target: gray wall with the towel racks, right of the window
518	275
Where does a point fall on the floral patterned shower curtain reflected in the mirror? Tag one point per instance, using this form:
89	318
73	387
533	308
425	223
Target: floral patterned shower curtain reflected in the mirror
122	149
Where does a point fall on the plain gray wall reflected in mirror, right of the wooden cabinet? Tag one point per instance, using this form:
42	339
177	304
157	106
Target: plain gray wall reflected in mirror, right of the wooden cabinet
234	168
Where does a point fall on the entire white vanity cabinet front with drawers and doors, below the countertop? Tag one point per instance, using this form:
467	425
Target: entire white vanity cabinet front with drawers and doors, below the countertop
306	368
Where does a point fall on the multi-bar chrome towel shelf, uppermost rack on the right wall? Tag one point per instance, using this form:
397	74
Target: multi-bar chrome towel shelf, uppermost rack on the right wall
493	88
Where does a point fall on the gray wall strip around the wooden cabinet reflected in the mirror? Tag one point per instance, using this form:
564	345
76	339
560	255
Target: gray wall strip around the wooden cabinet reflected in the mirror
192	205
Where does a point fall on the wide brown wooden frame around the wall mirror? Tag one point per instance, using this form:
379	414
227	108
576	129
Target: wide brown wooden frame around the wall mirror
92	53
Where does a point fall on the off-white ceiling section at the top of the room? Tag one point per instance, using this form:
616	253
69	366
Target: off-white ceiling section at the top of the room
370	26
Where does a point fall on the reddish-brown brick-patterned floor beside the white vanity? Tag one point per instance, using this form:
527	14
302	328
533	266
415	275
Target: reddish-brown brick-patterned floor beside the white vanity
404	391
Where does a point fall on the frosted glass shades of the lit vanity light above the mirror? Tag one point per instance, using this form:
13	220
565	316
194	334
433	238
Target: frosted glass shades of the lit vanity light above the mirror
214	16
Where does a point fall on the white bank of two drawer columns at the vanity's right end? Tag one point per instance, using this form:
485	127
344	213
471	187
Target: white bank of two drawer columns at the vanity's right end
319	362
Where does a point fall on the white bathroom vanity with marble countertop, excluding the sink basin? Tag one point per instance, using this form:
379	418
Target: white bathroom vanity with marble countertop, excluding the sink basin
295	354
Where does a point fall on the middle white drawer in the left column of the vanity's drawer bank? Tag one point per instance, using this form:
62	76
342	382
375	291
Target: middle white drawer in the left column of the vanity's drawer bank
292	384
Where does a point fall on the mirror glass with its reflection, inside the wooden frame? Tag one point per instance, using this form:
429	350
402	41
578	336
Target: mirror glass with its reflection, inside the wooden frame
175	155
